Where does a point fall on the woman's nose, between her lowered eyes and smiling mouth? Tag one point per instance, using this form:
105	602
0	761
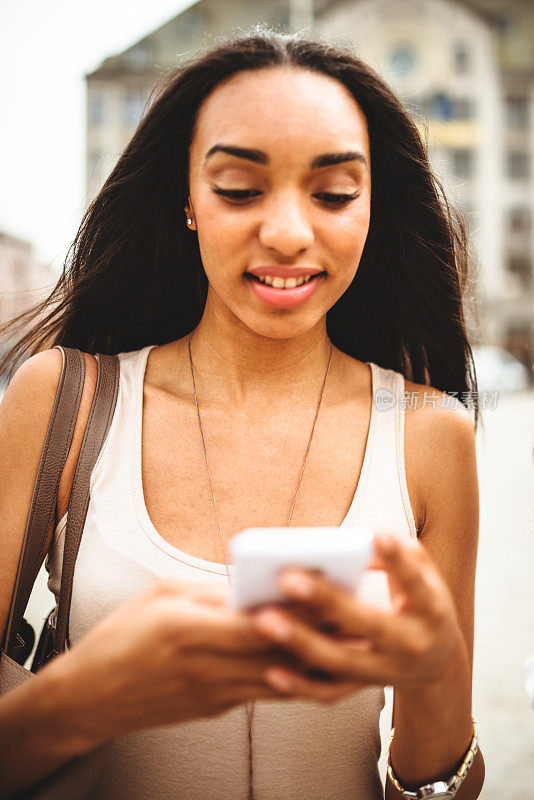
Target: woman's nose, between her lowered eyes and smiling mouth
286	227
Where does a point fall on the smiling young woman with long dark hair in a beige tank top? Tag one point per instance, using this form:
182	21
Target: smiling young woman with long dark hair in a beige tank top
268	159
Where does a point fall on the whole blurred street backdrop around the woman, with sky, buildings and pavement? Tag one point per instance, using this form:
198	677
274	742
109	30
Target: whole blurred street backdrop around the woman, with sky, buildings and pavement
75	80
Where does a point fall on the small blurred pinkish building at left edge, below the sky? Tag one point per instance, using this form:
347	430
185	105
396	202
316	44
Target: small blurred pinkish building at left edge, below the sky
23	279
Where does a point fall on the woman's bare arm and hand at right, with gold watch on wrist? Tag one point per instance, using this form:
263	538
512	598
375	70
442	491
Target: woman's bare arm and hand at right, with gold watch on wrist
422	647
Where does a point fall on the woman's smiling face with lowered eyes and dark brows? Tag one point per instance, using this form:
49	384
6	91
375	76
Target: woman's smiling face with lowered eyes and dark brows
280	185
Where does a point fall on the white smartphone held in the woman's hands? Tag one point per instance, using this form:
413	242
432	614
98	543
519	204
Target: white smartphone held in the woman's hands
259	554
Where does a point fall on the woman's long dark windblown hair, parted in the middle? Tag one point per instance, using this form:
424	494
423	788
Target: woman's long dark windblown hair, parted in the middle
133	275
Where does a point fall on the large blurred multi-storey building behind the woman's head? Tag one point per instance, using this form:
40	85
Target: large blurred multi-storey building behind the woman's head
465	70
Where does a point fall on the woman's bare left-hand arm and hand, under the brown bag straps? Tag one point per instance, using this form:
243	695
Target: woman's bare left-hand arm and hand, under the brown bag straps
172	654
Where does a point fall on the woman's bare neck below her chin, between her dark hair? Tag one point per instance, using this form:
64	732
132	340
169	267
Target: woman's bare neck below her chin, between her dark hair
243	368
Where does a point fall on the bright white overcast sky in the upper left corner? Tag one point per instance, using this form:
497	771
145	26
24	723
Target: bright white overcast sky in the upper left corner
46	48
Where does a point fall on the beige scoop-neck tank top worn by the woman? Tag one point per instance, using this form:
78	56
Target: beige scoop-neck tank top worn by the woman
302	750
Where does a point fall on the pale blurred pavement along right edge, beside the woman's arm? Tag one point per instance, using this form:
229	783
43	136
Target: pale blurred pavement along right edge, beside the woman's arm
504	623
